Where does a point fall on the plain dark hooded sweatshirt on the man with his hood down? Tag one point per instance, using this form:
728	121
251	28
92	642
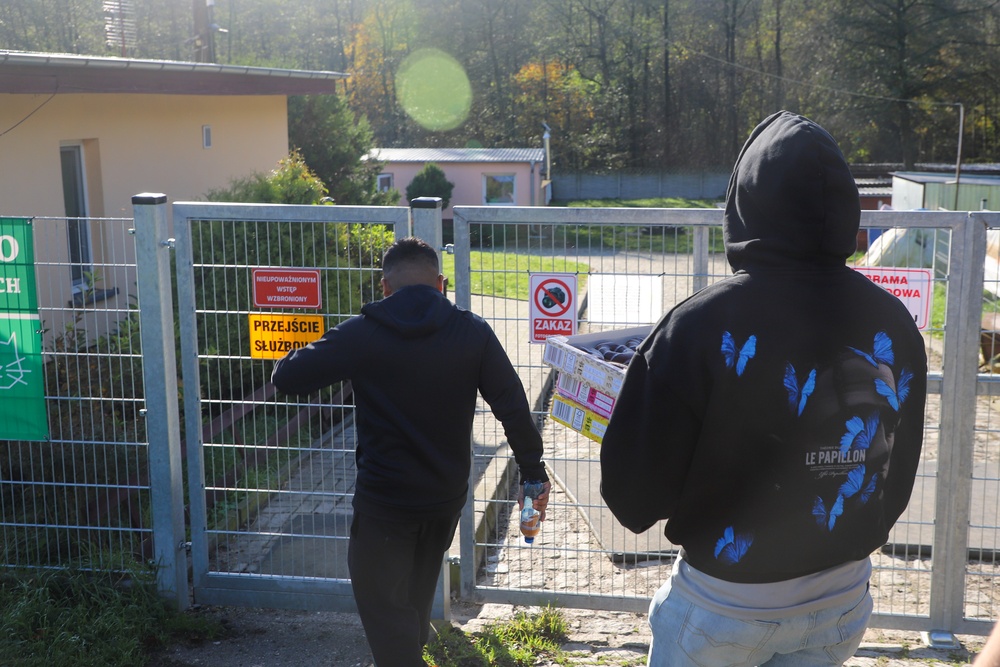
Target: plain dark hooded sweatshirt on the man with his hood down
416	363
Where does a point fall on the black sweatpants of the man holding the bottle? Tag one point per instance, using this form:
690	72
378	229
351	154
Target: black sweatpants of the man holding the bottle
394	569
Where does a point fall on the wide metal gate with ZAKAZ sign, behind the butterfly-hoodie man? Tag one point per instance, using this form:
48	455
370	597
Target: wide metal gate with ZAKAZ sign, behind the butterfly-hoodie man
619	255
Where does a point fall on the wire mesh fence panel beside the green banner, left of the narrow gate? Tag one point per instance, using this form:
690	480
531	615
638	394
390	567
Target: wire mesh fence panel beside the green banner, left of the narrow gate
81	497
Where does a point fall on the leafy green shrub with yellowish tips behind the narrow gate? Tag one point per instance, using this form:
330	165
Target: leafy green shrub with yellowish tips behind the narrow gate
225	251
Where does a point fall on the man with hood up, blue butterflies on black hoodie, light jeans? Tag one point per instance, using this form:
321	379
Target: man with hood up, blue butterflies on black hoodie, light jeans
775	420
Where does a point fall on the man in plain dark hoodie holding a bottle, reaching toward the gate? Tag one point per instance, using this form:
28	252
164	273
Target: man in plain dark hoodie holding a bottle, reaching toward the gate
416	363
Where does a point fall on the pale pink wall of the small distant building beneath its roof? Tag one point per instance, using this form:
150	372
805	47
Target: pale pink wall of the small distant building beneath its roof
468	180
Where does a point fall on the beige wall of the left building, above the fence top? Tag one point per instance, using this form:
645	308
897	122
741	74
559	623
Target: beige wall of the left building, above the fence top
134	143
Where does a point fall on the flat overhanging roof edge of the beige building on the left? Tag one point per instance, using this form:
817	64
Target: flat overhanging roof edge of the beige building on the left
23	72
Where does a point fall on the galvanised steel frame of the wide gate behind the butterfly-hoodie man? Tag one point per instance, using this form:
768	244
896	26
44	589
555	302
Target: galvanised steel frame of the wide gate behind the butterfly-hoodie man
958	390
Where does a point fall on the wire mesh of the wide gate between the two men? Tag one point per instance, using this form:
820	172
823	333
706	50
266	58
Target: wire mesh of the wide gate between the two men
627	276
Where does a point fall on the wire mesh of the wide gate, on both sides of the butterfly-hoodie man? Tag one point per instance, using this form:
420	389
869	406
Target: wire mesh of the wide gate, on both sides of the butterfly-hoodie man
629	273
